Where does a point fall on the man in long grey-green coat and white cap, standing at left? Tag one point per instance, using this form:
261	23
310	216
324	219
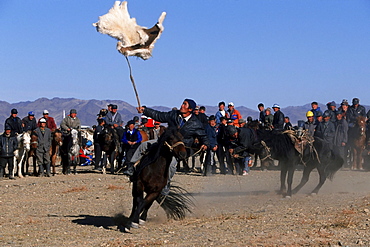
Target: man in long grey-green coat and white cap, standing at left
43	148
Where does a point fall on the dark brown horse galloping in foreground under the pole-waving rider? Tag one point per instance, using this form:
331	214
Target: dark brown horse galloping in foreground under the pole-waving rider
151	177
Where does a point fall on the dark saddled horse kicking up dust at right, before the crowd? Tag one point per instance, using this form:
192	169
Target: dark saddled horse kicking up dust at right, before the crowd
317	154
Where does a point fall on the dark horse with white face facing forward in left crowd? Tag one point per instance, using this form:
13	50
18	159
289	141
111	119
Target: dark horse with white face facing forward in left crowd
70	150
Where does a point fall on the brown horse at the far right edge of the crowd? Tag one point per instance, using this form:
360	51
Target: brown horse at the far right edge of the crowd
357	141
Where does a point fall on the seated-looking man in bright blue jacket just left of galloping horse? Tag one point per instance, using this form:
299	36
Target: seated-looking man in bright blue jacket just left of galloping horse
131	140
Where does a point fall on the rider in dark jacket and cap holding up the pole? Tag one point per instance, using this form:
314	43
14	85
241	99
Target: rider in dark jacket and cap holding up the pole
189	127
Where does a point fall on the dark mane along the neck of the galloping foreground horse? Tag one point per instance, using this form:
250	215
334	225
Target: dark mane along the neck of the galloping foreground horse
155	149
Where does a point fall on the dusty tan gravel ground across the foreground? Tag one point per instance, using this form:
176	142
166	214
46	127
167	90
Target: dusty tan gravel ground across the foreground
80	210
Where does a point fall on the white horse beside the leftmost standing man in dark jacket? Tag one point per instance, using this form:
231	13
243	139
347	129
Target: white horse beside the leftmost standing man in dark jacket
24	146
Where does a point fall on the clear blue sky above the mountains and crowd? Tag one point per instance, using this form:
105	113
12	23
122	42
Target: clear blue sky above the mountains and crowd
289	52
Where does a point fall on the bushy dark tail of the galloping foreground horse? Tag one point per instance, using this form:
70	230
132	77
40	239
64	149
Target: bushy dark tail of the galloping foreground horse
176	203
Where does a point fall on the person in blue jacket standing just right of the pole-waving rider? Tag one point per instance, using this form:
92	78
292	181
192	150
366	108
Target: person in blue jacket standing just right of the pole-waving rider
211	131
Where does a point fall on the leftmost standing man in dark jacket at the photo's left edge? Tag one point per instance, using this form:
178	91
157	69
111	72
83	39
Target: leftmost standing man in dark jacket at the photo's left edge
8	144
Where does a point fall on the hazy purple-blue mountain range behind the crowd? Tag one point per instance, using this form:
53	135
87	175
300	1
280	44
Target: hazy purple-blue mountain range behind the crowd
87	110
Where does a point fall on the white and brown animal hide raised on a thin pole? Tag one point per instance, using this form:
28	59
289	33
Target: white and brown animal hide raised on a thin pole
133	40
